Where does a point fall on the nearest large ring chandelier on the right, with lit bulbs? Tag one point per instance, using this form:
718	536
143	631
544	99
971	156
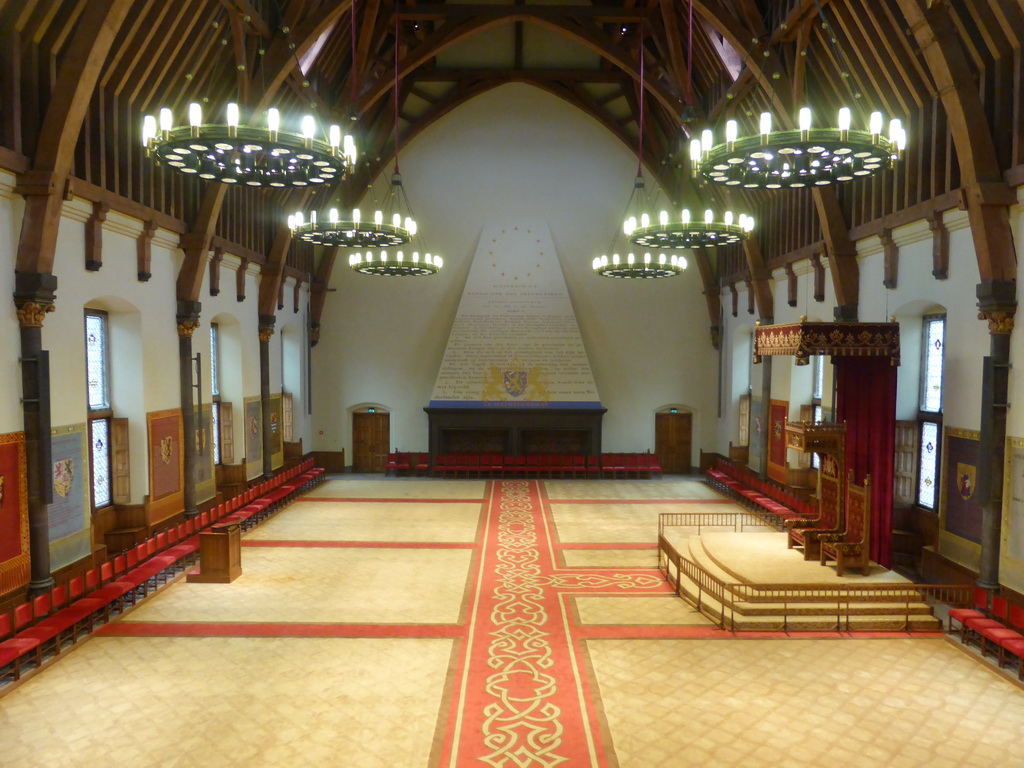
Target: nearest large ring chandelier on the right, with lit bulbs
803	158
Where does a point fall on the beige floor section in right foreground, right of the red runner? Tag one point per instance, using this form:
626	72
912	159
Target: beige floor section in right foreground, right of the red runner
691	693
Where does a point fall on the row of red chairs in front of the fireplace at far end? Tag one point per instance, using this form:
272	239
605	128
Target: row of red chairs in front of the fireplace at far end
535	465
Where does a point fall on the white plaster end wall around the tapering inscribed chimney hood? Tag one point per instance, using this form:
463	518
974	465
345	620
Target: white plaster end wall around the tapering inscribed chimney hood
516	153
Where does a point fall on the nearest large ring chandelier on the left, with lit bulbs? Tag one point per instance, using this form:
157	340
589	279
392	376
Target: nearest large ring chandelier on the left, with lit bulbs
237	154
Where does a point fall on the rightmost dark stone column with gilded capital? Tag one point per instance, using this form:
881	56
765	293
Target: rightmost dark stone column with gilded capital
997	305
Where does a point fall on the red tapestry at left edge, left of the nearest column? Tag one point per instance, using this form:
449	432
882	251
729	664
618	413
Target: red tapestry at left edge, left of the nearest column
15	566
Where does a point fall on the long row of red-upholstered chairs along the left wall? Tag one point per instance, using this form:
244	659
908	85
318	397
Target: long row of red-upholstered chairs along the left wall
71	610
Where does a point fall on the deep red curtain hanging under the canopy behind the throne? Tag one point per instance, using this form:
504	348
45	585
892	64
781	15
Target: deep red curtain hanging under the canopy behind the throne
867	402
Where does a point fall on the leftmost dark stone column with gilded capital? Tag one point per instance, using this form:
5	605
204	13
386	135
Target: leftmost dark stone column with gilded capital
33	300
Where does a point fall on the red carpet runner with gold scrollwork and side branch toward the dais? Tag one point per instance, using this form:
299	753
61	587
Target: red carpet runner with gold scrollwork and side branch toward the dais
522	698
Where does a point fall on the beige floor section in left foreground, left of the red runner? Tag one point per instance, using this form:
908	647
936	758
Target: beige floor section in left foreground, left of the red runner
231	702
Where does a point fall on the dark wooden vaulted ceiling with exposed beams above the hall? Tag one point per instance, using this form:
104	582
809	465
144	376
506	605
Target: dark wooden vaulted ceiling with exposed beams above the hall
706	62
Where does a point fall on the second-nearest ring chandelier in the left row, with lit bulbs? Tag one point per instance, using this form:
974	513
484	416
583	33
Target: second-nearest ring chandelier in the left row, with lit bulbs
392	225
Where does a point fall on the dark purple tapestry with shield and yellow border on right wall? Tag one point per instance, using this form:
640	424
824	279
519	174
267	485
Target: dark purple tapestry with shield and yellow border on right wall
960	507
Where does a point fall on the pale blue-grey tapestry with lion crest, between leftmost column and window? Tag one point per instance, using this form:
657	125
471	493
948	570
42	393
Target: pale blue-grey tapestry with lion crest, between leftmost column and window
70	511
